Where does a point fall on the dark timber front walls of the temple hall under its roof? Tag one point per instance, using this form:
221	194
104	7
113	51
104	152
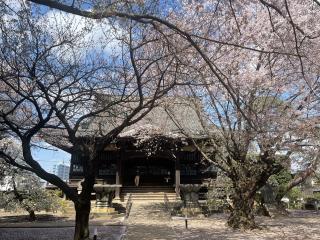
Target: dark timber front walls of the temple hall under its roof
123	167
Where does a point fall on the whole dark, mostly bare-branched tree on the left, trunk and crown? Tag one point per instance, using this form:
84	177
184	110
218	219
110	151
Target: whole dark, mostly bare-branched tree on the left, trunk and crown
54	83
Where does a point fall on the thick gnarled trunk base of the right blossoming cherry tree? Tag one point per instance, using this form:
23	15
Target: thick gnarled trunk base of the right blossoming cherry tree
241	216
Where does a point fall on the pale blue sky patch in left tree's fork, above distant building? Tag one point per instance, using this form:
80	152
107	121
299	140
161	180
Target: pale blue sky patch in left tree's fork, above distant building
48	158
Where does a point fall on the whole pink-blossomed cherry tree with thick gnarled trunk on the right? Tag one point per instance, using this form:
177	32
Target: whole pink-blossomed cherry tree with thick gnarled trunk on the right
257	91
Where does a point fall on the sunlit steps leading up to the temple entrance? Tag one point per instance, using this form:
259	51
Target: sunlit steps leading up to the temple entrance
149	194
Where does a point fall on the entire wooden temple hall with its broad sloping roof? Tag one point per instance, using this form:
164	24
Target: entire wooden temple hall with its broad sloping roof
151	156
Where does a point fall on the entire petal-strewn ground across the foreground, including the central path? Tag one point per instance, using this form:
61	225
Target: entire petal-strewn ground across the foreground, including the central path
150	222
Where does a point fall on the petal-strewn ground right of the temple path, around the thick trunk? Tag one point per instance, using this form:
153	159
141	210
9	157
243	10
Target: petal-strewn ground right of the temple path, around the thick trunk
300	225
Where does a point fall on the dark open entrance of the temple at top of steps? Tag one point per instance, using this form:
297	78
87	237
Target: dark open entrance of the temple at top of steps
151	172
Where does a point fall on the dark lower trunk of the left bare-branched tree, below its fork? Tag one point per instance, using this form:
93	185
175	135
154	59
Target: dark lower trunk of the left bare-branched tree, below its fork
82	220
